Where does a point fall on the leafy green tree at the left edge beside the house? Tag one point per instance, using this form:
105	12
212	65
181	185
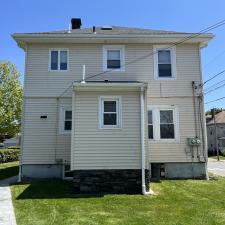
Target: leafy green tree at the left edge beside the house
10	100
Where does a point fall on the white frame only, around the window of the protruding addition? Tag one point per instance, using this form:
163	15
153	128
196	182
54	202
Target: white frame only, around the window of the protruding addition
118	112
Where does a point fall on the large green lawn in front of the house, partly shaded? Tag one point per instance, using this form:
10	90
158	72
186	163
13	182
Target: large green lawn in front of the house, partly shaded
180	202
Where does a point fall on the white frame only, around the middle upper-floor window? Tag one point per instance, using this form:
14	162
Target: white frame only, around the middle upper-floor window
121	48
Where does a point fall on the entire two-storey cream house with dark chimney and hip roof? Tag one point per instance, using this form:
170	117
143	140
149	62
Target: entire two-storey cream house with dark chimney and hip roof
131	117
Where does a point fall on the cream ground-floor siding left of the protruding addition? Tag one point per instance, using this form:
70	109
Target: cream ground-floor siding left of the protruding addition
43	143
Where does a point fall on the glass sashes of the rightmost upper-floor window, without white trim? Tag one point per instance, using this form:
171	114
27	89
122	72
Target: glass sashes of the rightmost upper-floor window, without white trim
164	63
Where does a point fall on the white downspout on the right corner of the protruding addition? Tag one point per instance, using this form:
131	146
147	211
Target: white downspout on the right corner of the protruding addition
144	192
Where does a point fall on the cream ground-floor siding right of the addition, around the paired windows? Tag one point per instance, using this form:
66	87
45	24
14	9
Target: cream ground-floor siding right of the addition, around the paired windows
174	150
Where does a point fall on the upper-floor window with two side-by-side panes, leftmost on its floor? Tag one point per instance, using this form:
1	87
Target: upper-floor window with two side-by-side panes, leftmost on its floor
58	59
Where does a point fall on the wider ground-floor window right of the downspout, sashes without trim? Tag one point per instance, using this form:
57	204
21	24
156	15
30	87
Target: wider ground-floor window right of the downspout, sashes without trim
166	124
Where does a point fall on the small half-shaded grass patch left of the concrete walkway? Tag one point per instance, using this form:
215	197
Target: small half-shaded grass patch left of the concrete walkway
8	169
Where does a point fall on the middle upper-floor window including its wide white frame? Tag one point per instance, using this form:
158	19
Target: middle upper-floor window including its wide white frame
113	57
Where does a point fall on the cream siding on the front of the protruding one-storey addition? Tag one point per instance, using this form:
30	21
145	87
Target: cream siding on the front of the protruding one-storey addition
95	148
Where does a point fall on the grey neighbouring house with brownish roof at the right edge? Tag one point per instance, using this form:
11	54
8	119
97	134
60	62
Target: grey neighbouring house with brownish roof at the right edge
213	128
